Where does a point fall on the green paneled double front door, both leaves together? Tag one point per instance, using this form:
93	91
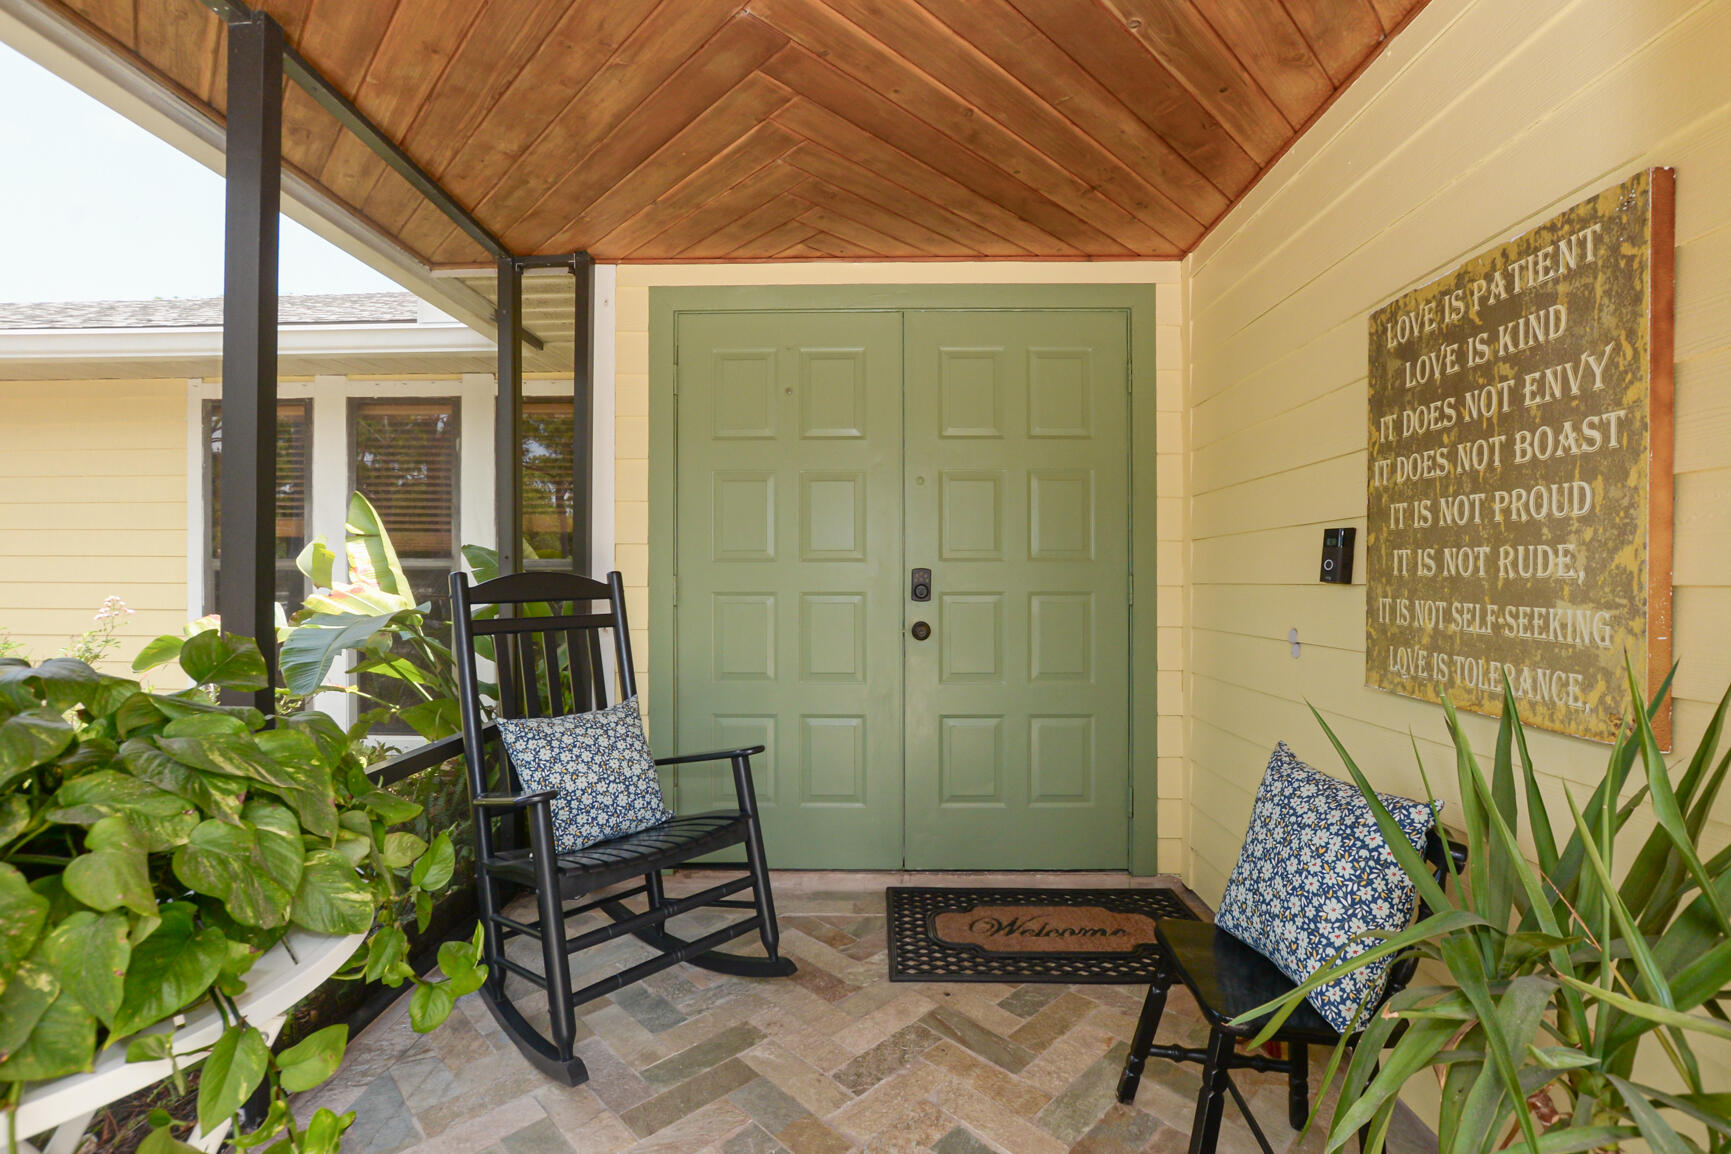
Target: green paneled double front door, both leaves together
823	458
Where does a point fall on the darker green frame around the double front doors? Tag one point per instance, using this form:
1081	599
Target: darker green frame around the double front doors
1136	300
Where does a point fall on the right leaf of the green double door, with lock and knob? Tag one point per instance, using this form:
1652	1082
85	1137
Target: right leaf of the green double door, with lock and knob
1017	487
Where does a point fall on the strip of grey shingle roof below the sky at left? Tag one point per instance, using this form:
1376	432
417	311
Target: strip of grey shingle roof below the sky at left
328	309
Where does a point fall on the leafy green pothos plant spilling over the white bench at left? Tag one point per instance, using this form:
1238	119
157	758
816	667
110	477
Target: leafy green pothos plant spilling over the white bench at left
155	845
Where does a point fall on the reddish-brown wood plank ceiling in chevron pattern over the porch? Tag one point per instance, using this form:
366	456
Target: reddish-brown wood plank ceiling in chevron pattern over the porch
645	131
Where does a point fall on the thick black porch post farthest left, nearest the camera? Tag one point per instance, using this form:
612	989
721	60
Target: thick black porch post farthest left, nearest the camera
247	598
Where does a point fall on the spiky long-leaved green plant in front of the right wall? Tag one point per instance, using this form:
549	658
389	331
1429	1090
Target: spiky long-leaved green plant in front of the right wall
1571	994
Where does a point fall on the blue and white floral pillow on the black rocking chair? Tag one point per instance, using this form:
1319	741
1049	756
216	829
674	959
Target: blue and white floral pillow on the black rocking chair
602	767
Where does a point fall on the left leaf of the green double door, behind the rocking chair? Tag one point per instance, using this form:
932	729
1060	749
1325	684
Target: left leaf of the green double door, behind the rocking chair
790	574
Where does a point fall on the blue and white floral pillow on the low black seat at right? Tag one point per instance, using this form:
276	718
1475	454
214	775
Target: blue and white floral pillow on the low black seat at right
1316	871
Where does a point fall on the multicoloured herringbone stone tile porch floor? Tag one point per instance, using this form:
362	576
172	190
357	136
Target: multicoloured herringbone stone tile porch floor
828	1061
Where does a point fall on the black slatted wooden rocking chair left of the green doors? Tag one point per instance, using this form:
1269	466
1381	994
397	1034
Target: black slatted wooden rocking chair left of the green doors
548	653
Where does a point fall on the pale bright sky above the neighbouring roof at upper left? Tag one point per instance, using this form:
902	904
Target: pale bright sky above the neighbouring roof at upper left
94	208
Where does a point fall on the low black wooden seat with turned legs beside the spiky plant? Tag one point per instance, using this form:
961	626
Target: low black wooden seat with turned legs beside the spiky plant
1228	978
